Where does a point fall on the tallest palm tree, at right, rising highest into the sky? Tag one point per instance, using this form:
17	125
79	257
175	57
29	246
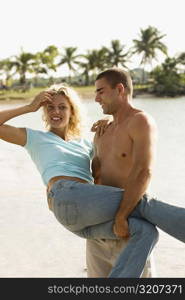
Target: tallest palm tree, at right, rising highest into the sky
148	44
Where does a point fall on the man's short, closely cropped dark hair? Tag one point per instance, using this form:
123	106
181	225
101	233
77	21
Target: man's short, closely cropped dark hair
115	76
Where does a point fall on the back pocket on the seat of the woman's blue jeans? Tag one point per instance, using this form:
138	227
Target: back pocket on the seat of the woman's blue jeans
66	213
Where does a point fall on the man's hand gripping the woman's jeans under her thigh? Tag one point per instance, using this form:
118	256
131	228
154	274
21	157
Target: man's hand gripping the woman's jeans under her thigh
120	227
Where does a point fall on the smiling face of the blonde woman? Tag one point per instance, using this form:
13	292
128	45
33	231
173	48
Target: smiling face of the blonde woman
58	113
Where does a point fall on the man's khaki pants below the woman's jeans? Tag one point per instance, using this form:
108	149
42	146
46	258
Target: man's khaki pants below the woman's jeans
101	255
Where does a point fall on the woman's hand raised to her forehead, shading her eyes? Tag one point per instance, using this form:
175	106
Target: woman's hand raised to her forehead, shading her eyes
41	99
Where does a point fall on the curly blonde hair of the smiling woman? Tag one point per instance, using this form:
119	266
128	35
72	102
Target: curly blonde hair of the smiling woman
76	122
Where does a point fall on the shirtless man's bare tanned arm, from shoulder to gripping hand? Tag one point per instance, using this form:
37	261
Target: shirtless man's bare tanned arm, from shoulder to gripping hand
142	131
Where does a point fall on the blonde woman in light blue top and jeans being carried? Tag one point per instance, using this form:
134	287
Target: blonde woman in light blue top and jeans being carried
63	158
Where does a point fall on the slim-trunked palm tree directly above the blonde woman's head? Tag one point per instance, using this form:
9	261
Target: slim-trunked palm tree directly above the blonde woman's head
70	58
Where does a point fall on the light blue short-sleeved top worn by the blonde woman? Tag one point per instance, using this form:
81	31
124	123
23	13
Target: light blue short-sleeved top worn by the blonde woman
54	156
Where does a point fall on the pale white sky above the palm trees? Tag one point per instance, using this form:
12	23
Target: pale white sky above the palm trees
87	24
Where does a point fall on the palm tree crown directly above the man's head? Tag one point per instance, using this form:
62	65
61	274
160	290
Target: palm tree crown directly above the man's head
116	56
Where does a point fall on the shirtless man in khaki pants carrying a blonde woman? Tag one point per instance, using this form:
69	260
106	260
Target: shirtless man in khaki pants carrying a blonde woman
124	158
